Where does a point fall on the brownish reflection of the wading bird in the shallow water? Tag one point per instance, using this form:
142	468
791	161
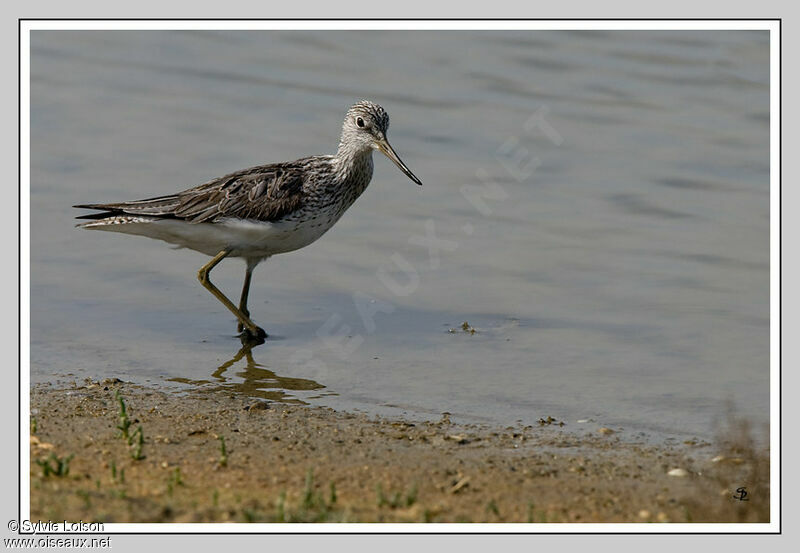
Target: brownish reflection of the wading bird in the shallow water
253	381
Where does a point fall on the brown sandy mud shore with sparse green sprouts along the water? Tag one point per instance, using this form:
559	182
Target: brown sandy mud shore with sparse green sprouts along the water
307	464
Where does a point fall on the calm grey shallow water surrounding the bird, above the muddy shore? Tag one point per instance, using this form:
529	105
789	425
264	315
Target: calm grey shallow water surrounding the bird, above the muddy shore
618	270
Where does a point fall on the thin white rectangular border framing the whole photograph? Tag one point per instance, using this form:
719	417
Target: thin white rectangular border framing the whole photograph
26	26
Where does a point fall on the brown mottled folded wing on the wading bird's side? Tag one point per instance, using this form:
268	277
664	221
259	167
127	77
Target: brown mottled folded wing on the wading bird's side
265	193
